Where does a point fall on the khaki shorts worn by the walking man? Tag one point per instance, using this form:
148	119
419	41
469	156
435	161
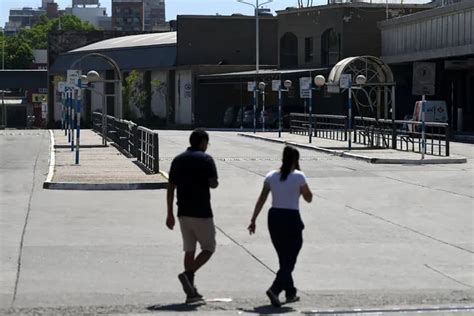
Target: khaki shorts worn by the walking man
200	230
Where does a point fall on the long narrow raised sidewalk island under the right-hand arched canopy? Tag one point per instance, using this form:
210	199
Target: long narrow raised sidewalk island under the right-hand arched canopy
359	152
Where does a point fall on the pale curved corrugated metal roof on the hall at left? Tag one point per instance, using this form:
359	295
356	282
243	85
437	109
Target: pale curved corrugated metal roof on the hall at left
153	39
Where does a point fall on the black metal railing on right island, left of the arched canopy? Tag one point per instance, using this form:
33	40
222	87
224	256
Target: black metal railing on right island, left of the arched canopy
324	126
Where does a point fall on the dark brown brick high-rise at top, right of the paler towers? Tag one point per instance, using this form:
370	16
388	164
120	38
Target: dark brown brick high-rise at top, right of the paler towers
128	15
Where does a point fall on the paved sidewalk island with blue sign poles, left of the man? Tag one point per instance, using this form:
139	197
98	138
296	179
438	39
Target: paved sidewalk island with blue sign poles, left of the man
100	167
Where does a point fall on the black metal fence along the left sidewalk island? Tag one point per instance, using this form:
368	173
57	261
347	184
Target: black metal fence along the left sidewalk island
135	141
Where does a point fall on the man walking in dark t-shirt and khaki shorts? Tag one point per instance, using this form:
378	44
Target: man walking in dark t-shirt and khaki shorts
193	173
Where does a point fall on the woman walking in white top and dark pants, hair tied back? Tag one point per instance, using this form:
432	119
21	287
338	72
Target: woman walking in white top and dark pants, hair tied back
284	221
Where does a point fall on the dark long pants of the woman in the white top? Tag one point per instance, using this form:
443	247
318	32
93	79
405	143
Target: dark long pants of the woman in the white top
286	229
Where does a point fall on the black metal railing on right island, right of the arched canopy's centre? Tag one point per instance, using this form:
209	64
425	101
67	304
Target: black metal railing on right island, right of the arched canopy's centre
402	135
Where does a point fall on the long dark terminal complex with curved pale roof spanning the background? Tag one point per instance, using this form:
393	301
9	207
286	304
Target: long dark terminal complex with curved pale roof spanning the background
192	79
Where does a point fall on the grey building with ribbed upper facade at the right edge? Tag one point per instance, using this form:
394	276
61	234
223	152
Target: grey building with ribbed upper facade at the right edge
443	38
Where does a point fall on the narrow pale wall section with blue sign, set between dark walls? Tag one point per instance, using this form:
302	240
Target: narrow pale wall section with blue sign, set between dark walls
183	97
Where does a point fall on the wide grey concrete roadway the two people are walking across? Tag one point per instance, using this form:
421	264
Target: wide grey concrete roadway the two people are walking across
376	236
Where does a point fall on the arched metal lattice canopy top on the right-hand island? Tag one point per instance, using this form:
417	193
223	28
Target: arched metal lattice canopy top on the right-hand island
373	68
